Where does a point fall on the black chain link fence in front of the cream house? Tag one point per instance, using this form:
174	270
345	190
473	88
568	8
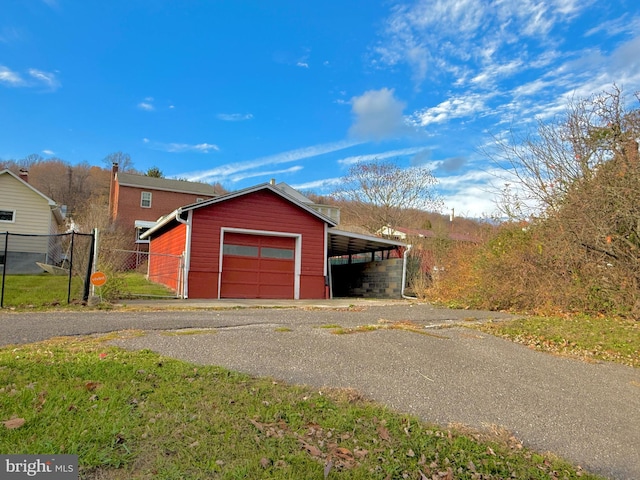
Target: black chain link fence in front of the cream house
45	269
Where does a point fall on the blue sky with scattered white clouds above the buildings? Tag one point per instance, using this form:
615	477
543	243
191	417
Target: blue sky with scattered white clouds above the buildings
242	91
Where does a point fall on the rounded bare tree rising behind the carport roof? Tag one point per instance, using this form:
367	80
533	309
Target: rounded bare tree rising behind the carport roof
383	194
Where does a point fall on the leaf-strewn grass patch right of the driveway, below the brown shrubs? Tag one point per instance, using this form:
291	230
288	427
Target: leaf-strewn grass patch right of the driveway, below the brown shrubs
589	338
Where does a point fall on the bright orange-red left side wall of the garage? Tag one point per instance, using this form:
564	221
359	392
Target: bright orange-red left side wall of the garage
164	265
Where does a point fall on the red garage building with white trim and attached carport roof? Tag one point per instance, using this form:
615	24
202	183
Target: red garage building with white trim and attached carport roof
266	241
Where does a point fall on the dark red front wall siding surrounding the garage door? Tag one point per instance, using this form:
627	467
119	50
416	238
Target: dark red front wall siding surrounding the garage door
261	210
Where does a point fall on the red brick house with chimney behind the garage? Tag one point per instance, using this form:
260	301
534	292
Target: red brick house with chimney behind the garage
136	202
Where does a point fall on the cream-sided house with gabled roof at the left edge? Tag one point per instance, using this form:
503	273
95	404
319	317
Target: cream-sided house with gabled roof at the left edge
25	210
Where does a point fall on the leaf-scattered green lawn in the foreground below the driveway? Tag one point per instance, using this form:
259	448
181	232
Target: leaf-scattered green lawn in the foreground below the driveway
137	415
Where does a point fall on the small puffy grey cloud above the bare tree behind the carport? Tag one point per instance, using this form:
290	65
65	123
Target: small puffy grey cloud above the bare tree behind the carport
377	115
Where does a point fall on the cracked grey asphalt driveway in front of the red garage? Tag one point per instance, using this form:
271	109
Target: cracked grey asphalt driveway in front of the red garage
587	413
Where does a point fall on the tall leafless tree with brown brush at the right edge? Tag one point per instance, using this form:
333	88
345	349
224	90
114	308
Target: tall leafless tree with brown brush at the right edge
581	175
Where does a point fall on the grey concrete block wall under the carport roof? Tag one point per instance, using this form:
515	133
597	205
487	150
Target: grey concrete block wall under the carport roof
379	279
